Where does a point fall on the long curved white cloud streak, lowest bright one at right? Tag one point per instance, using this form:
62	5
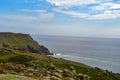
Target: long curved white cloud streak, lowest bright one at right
105	15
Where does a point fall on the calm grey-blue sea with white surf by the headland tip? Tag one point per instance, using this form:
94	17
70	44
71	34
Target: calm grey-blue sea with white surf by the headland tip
100	52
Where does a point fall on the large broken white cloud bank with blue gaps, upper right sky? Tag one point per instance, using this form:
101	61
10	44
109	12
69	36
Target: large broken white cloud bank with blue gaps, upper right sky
104	9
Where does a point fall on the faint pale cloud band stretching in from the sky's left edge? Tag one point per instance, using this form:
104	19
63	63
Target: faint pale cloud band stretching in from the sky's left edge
40	17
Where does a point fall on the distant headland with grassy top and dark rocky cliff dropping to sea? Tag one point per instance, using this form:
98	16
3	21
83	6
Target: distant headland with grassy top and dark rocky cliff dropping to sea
24	42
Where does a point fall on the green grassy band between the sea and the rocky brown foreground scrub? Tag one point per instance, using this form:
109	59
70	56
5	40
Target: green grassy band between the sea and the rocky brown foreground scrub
44	62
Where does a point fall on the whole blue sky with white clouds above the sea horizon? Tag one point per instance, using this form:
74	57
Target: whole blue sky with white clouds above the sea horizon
91	18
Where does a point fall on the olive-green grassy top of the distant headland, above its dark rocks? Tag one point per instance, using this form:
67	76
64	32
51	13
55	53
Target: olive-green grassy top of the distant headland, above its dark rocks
21	40
